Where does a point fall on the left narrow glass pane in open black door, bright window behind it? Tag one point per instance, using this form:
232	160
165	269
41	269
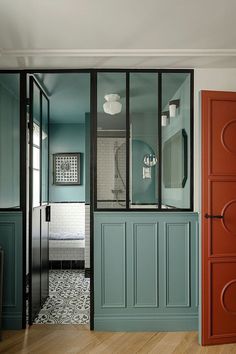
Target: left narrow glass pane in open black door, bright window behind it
36	145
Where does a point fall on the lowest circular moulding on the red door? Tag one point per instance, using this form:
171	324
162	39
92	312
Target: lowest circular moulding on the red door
228	297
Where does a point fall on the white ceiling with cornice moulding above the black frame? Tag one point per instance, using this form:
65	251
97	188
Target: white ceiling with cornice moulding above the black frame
117	34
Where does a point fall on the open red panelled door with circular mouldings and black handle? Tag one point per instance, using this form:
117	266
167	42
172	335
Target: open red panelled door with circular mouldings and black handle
218	217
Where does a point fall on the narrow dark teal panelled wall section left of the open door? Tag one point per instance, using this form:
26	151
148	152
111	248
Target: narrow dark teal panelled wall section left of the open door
11	242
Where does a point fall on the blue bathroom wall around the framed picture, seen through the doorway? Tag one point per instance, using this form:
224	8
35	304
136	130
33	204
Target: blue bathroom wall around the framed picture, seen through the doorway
67	138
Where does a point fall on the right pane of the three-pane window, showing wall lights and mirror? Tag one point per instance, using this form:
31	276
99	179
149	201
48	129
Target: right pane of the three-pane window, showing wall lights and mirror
176	140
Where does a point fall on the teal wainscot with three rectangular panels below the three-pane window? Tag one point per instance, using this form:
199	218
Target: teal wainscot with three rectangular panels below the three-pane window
146	271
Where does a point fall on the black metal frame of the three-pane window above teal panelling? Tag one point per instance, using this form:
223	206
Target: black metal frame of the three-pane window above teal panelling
159	208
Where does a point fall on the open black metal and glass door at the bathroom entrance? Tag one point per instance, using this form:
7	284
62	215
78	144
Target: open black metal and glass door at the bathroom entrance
38	201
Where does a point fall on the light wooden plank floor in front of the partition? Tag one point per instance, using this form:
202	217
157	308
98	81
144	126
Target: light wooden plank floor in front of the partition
72	339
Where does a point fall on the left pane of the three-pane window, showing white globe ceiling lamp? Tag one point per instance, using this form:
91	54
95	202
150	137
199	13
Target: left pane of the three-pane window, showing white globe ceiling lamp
111	140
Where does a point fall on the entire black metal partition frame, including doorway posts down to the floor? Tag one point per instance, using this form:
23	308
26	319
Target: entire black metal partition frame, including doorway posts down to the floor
93	162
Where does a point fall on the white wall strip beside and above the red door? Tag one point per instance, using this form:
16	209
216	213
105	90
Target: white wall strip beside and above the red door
214	80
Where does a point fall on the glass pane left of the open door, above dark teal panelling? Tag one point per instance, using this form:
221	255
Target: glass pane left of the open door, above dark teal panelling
9	141
